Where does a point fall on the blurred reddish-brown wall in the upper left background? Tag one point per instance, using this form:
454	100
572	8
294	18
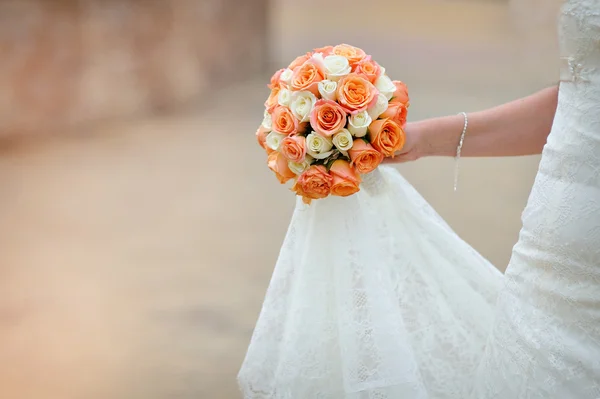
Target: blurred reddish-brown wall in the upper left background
71	62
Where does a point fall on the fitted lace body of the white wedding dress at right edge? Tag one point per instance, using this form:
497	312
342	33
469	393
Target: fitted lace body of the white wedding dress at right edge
545	342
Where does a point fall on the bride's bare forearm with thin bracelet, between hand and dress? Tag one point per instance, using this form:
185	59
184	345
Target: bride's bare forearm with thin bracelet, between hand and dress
520	127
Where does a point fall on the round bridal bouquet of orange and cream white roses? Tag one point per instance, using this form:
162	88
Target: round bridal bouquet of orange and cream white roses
333	115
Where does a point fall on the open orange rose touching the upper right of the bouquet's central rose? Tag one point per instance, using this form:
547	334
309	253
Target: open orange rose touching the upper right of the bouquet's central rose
355	93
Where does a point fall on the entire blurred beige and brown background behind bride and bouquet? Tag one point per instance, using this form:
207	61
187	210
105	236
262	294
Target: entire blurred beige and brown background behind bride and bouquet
139	223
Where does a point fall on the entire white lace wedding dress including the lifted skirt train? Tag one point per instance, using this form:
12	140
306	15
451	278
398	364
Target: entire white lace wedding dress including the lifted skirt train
375	297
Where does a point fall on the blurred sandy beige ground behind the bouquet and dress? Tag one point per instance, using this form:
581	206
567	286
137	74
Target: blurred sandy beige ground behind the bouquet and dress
134	258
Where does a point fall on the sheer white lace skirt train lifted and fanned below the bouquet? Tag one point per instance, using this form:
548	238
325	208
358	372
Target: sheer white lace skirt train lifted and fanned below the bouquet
372	296
